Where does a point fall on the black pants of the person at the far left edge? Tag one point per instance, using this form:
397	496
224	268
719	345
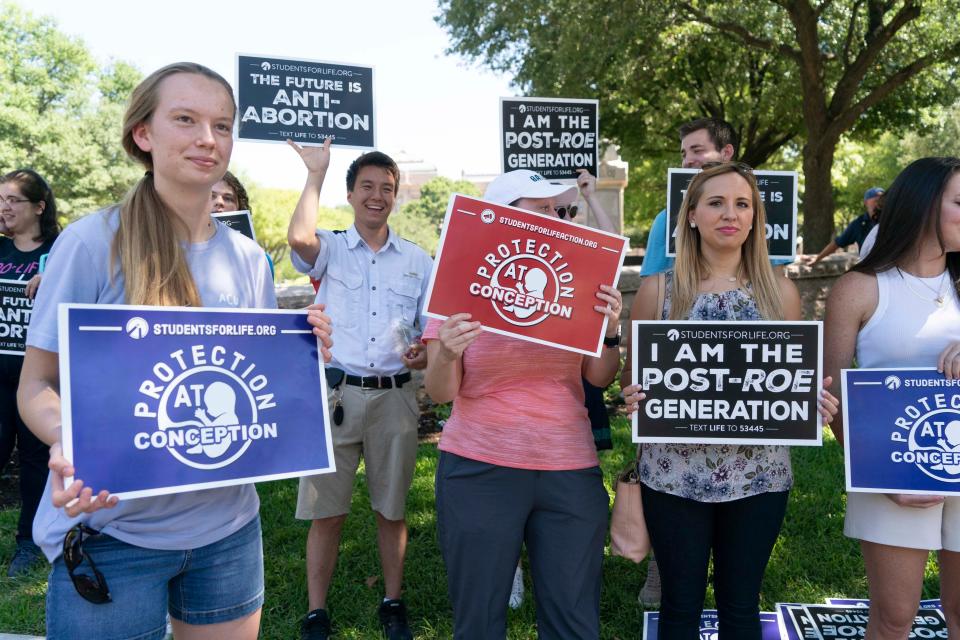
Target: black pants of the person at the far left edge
34	455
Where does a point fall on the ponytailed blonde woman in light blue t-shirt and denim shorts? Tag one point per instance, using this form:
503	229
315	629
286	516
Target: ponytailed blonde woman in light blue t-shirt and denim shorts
118	568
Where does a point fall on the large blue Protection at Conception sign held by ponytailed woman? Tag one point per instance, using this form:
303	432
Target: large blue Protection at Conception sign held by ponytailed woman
159	400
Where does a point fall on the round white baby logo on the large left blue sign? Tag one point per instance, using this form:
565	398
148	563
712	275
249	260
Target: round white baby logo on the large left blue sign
206	406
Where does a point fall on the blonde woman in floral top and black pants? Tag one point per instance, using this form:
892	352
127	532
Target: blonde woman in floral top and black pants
727	499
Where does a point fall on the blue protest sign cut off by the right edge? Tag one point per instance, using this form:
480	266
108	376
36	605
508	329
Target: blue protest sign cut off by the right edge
901	431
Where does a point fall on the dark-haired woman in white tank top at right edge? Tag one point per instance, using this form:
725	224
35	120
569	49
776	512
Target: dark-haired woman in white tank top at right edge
900	307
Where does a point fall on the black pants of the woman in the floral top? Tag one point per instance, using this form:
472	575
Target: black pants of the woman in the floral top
741	534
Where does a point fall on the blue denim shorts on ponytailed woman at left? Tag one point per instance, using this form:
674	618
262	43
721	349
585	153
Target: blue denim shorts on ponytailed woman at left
220	582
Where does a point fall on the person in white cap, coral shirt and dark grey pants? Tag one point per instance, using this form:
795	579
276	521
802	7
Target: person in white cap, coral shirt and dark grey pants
518	462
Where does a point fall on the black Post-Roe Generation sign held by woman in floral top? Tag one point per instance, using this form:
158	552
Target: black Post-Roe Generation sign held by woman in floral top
730	382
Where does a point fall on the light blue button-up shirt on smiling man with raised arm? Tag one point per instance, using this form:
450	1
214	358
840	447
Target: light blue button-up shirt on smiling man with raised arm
368	295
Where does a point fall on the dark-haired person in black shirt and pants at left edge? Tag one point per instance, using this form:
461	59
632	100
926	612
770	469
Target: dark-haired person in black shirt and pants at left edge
28	227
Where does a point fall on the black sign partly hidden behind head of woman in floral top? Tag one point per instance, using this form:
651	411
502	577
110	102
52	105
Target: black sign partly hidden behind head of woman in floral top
778	190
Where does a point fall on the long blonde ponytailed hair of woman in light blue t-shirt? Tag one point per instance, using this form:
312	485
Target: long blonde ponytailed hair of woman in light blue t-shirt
147	244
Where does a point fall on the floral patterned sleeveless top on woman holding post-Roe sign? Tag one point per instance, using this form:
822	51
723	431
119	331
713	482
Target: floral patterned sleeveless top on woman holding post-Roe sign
715	473
